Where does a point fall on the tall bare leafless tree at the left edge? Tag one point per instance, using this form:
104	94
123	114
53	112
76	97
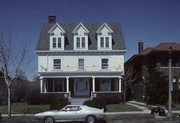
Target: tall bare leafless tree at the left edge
13	58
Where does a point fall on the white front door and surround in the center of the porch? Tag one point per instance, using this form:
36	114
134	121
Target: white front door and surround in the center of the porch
81	87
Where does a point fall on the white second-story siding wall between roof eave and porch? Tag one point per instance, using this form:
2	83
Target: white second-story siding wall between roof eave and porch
91	63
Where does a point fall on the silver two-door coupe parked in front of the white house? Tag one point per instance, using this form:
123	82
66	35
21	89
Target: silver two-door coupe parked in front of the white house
72	113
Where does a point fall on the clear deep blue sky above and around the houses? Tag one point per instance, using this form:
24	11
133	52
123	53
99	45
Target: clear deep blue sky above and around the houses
152	21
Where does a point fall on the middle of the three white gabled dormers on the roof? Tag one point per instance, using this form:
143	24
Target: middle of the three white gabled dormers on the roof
80	37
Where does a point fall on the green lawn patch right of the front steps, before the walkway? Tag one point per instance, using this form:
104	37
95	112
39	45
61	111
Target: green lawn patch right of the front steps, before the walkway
121	108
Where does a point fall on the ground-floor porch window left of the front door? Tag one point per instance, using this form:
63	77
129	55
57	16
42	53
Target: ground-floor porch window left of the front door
59	85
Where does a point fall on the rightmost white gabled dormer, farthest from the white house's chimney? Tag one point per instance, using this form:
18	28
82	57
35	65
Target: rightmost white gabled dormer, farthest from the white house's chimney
104	37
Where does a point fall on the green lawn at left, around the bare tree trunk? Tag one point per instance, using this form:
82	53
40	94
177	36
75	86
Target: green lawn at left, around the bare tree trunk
24	108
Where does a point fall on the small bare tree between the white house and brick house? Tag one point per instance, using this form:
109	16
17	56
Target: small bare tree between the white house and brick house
128	79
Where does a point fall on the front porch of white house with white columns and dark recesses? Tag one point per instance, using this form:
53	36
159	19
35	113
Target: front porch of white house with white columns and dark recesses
78	87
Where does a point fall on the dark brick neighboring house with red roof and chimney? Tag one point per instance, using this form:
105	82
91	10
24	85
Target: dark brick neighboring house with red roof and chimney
154	58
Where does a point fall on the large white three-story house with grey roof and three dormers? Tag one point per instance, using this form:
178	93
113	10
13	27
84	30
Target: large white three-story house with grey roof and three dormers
80	59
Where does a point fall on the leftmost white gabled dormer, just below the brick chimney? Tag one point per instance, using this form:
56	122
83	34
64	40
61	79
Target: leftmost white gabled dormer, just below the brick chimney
56	37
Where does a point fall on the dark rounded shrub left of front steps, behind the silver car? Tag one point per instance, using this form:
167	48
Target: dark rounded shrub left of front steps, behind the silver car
59	104
